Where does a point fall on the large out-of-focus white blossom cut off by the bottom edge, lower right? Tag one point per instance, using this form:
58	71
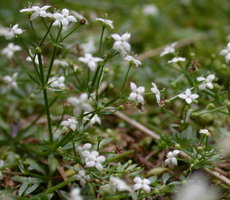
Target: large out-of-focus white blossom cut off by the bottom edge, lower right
197	188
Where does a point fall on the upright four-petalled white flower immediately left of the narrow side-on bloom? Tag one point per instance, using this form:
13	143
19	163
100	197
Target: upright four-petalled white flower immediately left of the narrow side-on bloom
137	93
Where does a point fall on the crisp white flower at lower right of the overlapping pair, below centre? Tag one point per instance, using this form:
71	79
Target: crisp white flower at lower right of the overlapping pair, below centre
93	159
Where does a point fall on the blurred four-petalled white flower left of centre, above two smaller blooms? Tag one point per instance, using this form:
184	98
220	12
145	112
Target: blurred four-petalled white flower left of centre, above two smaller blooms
80	104
